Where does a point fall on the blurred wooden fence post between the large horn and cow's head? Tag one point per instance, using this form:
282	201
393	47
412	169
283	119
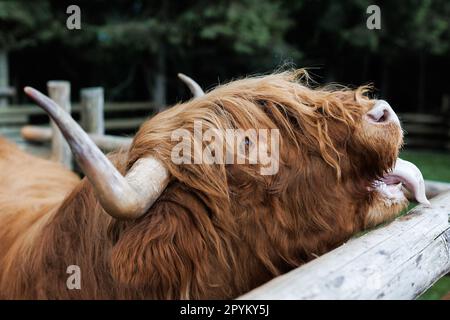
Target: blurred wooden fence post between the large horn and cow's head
92	108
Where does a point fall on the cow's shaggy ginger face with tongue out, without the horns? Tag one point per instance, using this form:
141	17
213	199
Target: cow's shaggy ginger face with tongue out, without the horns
338	151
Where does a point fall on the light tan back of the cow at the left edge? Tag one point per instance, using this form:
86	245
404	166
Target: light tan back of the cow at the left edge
30	190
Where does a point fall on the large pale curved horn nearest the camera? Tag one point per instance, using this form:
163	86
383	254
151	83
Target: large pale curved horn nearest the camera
126	197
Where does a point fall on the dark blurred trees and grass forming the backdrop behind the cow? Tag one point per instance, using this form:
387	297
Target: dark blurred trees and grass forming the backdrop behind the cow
134	49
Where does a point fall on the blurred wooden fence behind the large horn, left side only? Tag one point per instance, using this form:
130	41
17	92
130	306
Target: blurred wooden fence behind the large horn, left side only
96	117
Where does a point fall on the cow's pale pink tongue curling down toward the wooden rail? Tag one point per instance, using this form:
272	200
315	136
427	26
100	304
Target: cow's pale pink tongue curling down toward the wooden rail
411	177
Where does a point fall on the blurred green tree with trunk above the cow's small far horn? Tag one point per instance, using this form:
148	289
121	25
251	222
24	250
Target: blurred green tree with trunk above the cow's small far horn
156	35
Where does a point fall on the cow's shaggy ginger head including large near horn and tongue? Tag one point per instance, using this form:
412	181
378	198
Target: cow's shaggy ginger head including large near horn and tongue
337	167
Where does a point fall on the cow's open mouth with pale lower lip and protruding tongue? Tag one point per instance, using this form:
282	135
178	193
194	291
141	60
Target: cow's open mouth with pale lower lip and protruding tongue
403	175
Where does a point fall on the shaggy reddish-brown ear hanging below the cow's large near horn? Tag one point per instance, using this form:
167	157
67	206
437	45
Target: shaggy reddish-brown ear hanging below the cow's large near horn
161	255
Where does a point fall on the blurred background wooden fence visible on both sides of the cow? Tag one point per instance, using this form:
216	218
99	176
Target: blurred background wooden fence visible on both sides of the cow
429	131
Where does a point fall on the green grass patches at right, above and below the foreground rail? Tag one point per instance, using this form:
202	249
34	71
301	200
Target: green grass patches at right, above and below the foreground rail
434	166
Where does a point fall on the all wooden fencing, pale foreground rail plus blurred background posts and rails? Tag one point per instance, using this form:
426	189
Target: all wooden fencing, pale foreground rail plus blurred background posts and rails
397	261
